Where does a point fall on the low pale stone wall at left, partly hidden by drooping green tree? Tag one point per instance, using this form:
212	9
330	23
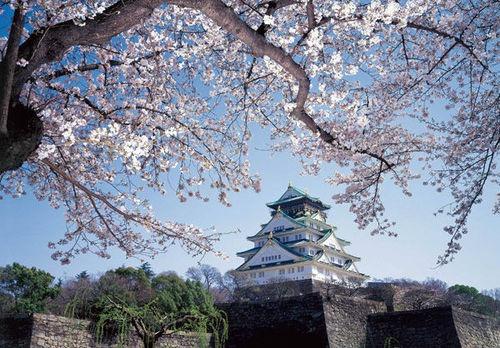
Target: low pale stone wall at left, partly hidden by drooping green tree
50	331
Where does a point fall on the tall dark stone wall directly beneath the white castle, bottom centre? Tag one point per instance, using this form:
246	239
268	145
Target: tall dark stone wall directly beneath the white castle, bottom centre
311	320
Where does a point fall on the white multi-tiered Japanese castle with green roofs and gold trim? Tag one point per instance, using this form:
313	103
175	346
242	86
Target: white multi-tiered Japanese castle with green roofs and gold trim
296	244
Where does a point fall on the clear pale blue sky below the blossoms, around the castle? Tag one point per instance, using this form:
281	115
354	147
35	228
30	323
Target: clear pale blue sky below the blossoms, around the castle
27	225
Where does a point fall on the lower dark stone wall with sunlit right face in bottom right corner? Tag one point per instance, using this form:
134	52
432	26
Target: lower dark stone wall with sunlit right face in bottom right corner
433	327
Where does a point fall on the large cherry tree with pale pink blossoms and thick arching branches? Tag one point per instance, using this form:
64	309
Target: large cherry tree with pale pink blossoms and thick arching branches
100	99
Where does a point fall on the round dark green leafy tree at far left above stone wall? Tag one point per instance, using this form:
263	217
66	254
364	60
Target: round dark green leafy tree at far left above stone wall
27	289
